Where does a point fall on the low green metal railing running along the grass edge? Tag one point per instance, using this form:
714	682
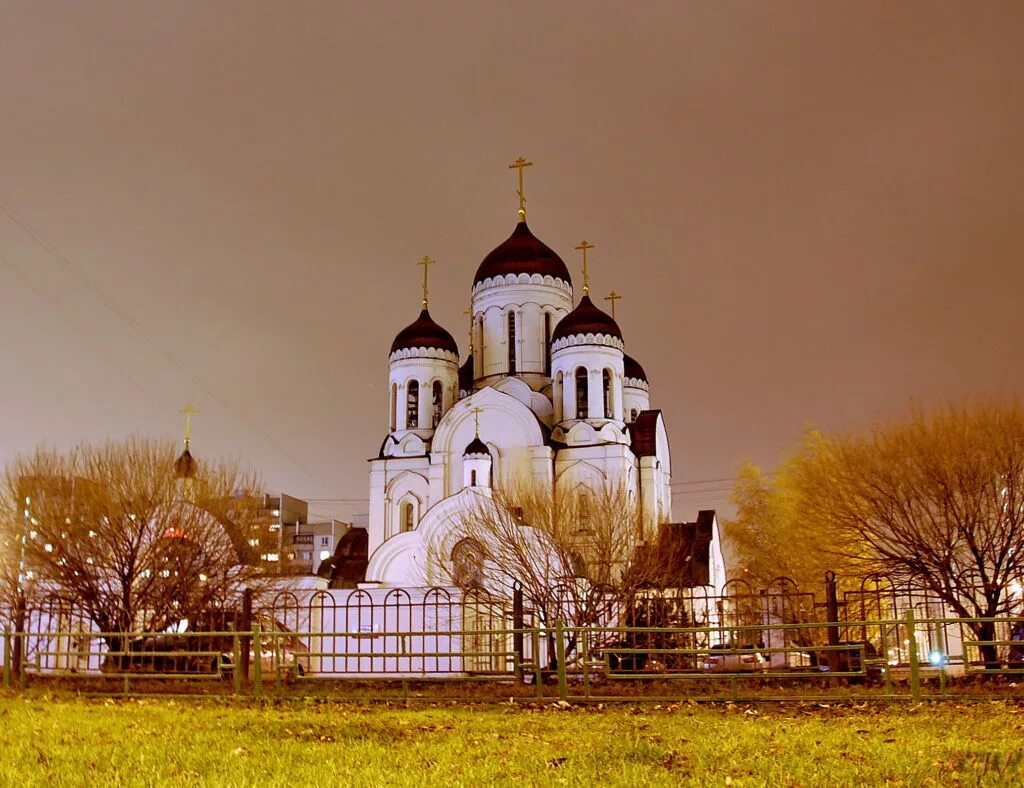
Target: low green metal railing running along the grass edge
900	659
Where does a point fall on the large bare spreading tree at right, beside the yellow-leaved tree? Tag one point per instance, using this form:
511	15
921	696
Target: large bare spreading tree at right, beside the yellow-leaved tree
936	502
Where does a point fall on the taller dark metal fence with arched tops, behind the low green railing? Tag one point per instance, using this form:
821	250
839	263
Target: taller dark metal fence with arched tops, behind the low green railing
745	643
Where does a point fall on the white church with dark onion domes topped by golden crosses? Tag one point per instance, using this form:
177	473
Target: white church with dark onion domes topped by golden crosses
546	395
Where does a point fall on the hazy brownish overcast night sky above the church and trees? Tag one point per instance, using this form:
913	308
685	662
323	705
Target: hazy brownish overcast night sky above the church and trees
814	211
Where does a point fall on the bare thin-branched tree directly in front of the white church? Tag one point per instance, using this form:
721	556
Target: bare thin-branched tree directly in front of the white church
577	558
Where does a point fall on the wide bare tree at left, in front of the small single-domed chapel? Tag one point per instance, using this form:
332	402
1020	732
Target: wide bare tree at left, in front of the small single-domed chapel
133	544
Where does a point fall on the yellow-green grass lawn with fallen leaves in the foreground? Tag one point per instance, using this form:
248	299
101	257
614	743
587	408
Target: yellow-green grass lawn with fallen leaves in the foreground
67	741
